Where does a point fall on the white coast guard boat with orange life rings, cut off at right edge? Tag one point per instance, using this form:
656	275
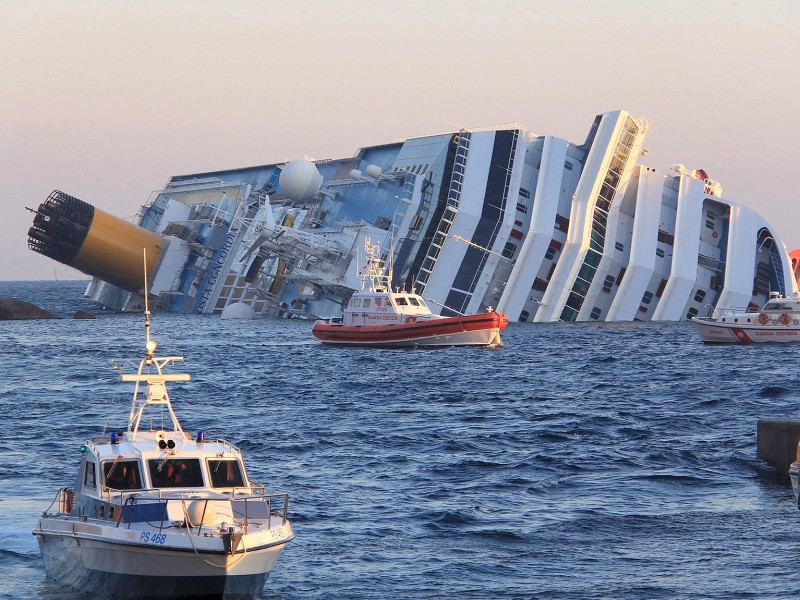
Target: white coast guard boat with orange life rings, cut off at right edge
777	321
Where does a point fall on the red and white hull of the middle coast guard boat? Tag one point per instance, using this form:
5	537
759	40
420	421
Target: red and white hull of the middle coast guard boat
473	330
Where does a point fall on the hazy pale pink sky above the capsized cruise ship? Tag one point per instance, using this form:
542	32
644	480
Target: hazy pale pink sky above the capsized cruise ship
106	100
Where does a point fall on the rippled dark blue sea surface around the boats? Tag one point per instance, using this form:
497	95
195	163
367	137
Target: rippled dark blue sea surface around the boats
579	461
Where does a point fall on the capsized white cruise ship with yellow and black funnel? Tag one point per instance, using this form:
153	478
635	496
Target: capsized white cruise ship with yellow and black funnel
534	226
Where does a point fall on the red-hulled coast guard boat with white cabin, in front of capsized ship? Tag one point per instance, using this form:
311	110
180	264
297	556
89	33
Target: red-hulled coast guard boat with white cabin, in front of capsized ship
378	316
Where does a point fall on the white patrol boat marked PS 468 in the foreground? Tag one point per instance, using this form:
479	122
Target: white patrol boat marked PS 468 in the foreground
157	513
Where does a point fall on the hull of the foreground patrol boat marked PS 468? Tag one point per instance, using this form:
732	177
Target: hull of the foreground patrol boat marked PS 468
88	559
